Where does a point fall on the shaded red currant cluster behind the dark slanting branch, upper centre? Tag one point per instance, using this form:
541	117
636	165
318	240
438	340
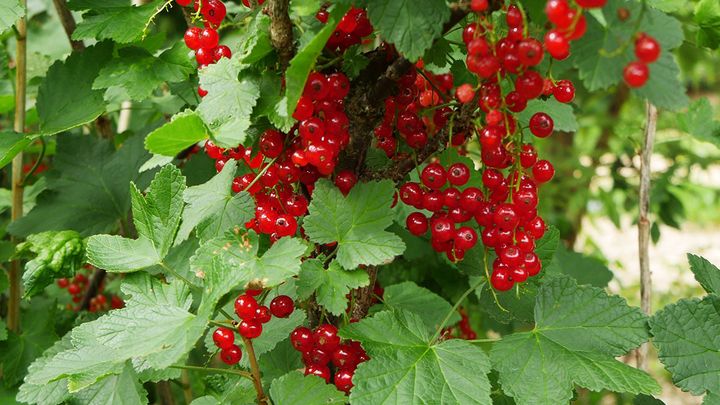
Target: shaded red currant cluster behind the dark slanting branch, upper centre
413	112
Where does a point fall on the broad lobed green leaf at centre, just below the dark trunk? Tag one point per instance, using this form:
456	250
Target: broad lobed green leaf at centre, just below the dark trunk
356	222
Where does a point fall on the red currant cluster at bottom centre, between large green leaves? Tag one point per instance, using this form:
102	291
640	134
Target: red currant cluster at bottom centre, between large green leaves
321	348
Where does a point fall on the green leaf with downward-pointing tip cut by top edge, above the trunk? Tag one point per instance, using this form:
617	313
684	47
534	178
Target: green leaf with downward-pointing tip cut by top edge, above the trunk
410	25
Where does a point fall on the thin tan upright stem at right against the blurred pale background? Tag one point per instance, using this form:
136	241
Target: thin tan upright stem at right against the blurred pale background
644	222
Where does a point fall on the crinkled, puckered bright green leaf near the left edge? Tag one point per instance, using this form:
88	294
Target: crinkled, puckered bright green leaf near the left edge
55	255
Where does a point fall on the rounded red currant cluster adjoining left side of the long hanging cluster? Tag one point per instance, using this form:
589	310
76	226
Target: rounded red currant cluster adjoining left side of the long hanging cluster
450	206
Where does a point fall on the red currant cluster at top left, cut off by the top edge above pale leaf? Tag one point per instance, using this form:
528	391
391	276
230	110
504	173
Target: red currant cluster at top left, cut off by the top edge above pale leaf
205	42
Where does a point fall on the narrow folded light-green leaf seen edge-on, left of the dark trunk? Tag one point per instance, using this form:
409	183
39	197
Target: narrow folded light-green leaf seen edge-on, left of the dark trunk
304	61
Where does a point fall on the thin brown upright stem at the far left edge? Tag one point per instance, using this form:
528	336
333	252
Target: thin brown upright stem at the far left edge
13	317
